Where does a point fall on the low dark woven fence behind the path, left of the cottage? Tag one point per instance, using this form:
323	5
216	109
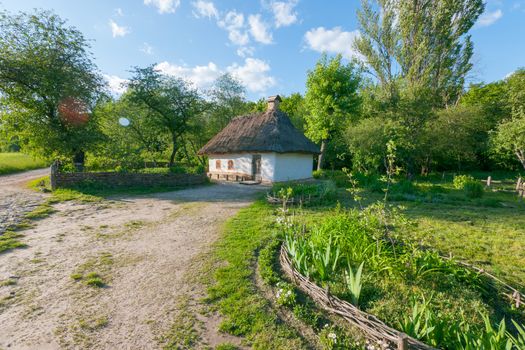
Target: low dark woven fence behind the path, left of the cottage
115	180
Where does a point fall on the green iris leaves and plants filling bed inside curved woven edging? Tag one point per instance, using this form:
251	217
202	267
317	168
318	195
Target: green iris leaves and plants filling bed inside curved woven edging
389	273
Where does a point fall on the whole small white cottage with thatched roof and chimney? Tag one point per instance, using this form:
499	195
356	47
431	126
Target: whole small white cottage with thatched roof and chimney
264	147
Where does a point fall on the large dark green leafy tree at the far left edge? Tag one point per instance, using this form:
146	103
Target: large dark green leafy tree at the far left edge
49	85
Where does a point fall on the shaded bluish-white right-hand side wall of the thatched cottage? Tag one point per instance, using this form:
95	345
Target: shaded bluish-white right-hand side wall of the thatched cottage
293	166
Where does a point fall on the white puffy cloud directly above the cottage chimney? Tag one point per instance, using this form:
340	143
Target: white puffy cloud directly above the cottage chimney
253	74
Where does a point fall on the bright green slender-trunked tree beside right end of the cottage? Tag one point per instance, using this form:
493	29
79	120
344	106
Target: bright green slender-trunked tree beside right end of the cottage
331	99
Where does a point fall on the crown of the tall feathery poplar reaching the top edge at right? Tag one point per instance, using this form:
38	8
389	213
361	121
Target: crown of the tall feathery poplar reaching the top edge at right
421	46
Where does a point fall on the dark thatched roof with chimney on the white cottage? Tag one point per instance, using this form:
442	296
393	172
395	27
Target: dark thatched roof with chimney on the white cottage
270	131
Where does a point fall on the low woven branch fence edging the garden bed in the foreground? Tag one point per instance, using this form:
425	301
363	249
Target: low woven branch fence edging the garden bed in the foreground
373	328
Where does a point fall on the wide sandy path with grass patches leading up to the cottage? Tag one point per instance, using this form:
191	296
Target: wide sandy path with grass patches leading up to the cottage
140	246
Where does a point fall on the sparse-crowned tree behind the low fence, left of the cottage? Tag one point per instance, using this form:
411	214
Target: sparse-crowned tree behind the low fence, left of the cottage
172	103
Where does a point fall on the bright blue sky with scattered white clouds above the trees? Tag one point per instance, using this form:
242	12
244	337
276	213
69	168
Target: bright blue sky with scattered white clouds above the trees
267	44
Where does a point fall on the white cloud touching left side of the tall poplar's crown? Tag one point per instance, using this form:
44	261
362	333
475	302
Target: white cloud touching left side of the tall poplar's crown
332	41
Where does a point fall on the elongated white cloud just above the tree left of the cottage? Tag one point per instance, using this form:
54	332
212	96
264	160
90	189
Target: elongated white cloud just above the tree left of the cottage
201	76
